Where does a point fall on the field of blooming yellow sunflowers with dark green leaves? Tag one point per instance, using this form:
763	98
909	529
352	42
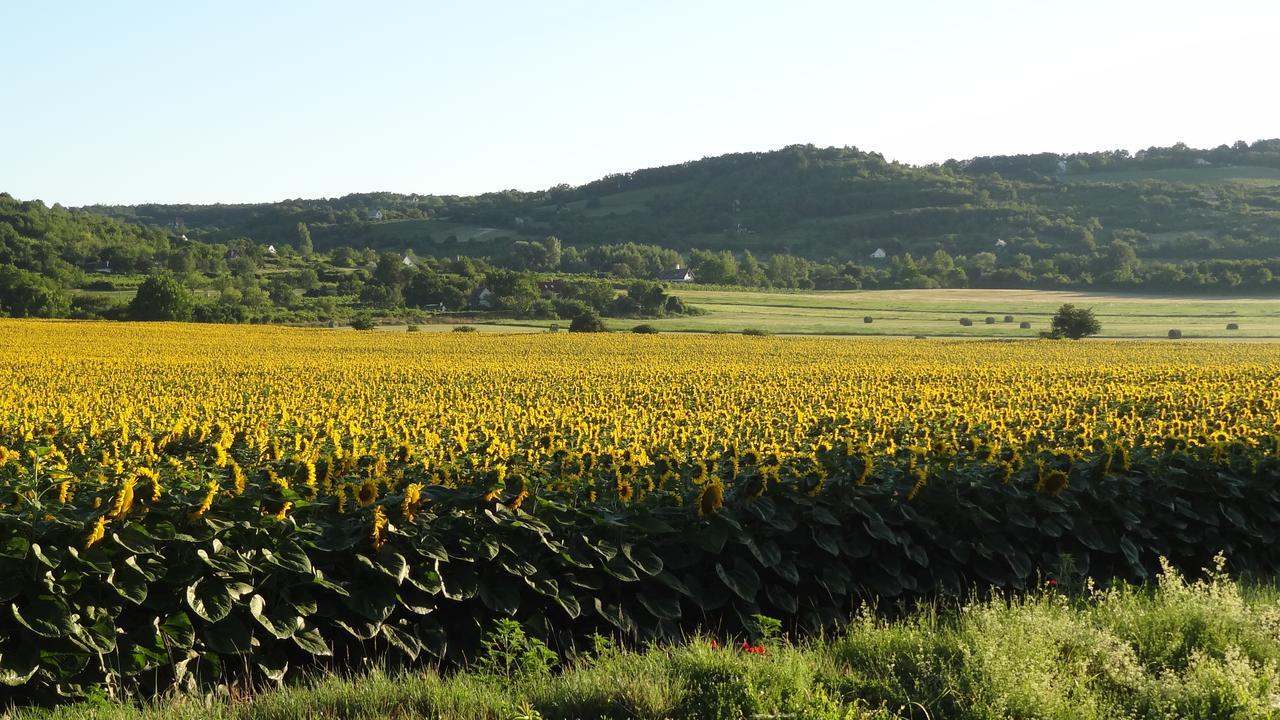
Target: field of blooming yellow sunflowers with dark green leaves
193	505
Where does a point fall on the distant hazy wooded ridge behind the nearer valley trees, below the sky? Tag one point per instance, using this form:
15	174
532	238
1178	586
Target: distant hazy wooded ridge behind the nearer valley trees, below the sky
822	204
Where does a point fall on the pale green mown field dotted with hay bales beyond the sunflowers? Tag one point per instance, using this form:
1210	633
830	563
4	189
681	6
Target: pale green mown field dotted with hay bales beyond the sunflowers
938	313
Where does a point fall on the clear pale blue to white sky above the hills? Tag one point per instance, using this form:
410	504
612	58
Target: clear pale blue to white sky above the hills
246	102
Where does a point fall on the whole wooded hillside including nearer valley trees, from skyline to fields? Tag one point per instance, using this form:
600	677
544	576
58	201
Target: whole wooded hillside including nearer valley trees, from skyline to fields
1171	220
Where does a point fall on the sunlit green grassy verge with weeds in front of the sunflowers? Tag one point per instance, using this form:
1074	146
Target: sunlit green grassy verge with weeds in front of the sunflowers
1206	649
